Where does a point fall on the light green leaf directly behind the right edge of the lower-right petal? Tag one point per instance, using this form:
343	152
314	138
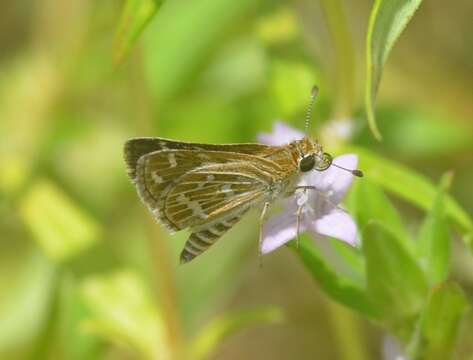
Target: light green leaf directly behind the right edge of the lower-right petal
368	202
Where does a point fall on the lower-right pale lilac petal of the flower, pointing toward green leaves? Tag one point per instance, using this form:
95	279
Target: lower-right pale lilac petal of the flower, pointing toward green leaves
337	224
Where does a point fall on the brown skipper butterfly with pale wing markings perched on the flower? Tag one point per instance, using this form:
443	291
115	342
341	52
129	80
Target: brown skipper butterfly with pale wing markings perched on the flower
207	188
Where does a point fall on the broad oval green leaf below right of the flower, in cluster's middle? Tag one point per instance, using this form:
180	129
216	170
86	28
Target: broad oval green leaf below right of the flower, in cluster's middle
395	282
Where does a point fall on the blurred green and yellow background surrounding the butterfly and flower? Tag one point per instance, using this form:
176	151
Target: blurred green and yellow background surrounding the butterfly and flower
85	272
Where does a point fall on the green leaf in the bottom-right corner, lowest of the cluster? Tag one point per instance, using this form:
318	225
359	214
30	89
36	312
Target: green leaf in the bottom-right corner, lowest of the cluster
439	323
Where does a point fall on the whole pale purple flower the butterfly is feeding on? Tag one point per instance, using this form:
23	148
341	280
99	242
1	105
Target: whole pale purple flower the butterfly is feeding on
321	214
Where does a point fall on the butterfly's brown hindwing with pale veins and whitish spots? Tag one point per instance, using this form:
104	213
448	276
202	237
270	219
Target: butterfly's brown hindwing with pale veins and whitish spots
165	173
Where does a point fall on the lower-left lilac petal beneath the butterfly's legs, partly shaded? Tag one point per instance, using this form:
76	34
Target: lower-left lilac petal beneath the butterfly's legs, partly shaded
278	230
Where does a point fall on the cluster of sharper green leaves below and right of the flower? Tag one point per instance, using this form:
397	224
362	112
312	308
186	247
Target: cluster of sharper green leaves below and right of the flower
404	289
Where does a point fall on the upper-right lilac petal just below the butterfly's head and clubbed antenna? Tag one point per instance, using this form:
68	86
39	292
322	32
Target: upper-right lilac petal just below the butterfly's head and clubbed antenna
334	182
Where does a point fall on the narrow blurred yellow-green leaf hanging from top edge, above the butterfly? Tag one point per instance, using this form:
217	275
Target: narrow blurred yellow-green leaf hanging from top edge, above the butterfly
135	16
